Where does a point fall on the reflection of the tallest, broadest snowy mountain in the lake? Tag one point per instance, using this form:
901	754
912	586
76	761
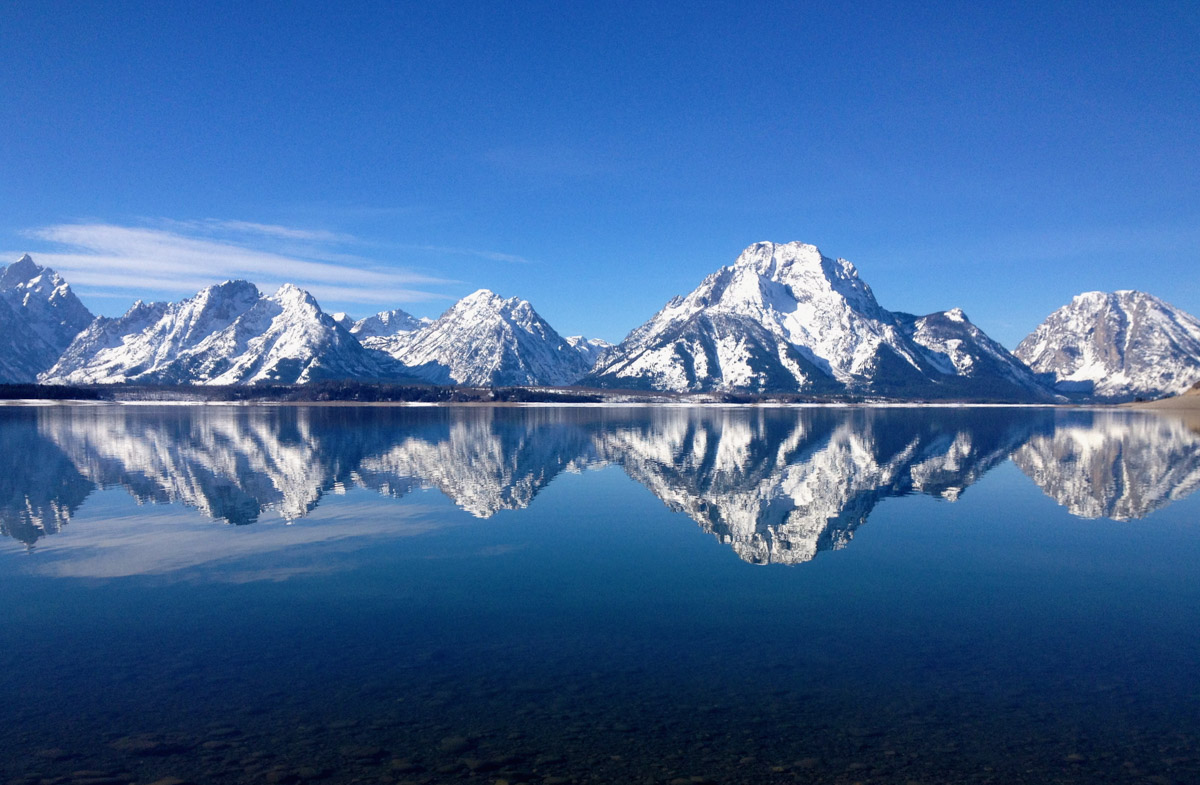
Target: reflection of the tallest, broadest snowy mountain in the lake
782	489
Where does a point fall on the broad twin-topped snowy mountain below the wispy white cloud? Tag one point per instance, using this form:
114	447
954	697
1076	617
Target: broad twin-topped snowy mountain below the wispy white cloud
227	334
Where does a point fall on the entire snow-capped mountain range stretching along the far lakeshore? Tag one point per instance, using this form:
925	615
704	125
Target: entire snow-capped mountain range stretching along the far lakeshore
783	319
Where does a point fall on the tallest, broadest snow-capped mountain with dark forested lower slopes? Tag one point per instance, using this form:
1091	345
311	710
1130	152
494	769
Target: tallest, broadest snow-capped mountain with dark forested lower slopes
788	319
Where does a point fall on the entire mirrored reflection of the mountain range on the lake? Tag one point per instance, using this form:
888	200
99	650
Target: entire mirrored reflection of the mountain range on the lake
776	486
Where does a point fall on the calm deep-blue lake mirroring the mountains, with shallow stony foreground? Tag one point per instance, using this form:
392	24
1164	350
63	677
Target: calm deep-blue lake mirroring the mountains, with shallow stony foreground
280	595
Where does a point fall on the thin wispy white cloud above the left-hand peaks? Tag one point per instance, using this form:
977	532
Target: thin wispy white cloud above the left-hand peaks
177	257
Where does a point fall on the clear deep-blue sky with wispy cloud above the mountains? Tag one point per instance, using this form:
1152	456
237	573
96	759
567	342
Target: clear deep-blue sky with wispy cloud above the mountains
598	159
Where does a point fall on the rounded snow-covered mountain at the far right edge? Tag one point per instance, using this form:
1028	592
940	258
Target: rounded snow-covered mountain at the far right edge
1117	346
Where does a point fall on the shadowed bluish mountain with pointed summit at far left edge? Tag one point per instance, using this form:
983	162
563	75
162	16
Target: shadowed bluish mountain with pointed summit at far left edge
39	317
